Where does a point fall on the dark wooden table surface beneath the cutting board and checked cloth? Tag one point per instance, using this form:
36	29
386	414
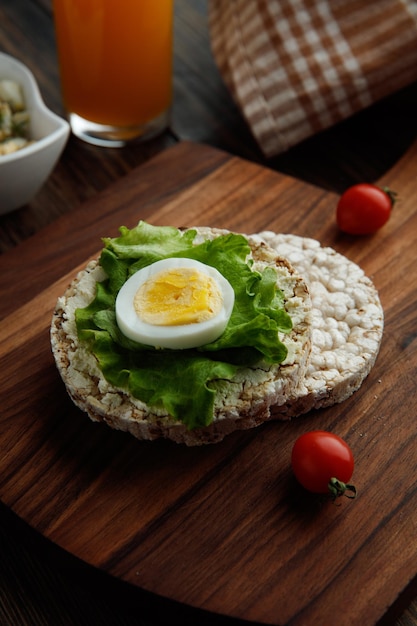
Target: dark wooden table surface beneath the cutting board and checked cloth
39	583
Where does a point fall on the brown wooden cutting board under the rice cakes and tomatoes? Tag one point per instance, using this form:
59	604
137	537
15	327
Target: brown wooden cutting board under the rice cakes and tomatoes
225	527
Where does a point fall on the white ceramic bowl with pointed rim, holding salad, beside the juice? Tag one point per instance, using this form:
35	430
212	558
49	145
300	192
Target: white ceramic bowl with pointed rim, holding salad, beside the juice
23	173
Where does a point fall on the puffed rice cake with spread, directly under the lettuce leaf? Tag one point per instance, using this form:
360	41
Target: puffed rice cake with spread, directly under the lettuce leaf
243	403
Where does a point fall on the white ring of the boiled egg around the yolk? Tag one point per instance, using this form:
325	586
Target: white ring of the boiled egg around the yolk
177	337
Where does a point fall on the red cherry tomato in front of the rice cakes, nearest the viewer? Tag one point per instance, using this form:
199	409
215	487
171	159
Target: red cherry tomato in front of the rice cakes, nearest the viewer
323	463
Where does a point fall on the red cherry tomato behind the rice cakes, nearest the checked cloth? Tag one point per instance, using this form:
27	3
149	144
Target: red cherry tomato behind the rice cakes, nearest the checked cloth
364	208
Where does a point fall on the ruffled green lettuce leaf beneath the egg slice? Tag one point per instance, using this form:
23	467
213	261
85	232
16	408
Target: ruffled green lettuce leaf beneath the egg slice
183	382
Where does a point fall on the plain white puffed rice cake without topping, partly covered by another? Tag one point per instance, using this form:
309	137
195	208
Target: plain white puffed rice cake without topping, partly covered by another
347	318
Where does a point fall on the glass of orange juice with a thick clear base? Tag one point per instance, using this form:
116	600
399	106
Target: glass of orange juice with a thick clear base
115	59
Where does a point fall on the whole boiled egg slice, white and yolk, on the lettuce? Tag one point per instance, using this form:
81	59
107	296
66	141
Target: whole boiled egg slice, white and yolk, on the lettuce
175	303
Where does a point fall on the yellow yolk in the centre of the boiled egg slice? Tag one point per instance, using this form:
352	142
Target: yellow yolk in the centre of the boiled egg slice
178	296
